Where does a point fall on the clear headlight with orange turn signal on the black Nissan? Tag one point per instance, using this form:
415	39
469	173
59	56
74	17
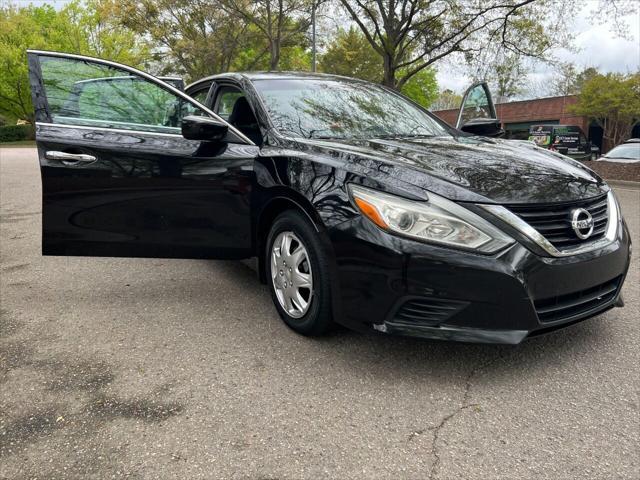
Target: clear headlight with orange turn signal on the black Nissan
437	220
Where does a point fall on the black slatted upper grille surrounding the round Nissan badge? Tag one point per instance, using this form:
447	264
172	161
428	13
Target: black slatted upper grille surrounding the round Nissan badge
553	221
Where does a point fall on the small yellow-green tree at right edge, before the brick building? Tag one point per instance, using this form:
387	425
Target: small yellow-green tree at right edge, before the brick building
613	102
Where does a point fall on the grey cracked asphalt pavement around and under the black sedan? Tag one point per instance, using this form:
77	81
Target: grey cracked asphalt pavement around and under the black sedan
152	368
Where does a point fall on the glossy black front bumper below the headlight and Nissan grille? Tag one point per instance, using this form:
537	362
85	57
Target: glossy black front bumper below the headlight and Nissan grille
398	286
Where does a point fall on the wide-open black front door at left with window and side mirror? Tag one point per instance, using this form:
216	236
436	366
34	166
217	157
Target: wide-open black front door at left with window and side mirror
118	176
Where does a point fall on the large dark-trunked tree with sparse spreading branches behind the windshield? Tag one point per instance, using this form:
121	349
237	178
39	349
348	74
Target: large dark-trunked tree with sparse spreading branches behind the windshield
412	35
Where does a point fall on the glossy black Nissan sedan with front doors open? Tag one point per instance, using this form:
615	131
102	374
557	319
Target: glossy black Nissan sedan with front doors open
362	208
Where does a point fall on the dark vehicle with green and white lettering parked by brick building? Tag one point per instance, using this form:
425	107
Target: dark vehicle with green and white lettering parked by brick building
569	140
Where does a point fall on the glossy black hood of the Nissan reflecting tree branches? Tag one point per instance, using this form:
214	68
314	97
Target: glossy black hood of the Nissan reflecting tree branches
468	168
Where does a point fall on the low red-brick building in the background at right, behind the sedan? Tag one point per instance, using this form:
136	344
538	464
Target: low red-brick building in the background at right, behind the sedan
517	117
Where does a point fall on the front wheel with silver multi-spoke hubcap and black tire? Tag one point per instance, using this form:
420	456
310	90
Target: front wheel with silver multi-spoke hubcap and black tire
298	274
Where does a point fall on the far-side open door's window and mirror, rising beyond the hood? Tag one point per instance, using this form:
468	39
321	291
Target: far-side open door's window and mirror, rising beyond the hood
478	113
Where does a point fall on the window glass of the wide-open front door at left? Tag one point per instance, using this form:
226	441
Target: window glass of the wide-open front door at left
96	94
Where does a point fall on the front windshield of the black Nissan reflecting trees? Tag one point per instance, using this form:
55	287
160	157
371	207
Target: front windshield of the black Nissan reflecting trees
342	109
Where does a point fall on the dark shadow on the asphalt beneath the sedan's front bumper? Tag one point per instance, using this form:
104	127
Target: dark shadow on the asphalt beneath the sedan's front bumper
405	355
